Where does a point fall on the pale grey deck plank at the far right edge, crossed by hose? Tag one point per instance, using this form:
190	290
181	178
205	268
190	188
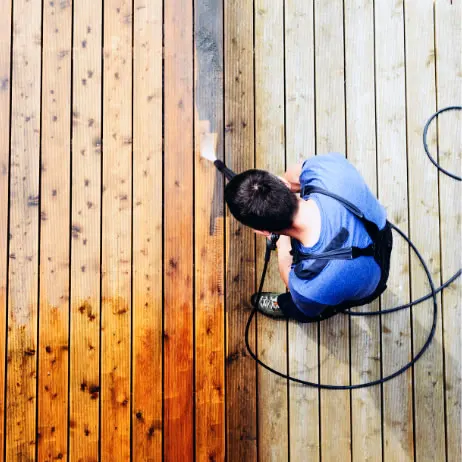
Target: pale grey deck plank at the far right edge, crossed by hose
449	92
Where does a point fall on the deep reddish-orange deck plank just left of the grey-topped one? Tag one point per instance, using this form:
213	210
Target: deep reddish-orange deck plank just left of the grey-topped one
178	231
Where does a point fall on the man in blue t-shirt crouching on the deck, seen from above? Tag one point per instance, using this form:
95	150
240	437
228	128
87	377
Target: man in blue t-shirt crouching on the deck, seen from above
335	241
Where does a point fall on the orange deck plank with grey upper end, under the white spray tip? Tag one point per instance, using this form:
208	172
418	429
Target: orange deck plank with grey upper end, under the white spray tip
209	234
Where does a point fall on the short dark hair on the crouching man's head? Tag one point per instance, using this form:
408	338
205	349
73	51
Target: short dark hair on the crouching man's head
261	200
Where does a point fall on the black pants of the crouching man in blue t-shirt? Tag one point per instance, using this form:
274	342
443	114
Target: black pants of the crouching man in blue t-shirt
383	248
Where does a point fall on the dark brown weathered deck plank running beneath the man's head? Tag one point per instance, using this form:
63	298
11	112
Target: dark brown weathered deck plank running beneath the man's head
241	414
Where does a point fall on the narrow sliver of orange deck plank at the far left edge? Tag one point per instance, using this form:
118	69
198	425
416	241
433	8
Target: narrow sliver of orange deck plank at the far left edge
5	92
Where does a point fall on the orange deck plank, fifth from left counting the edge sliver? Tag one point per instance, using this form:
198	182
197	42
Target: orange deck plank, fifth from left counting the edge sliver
116	230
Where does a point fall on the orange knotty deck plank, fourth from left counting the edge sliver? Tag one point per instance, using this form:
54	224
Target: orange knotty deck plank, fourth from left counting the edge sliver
84	386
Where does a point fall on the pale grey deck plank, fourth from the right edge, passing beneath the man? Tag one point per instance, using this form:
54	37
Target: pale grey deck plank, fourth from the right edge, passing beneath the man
366	418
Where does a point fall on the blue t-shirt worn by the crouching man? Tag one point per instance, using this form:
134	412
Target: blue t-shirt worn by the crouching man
335	281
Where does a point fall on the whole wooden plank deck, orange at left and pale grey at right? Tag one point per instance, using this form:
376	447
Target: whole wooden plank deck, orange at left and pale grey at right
124	284
